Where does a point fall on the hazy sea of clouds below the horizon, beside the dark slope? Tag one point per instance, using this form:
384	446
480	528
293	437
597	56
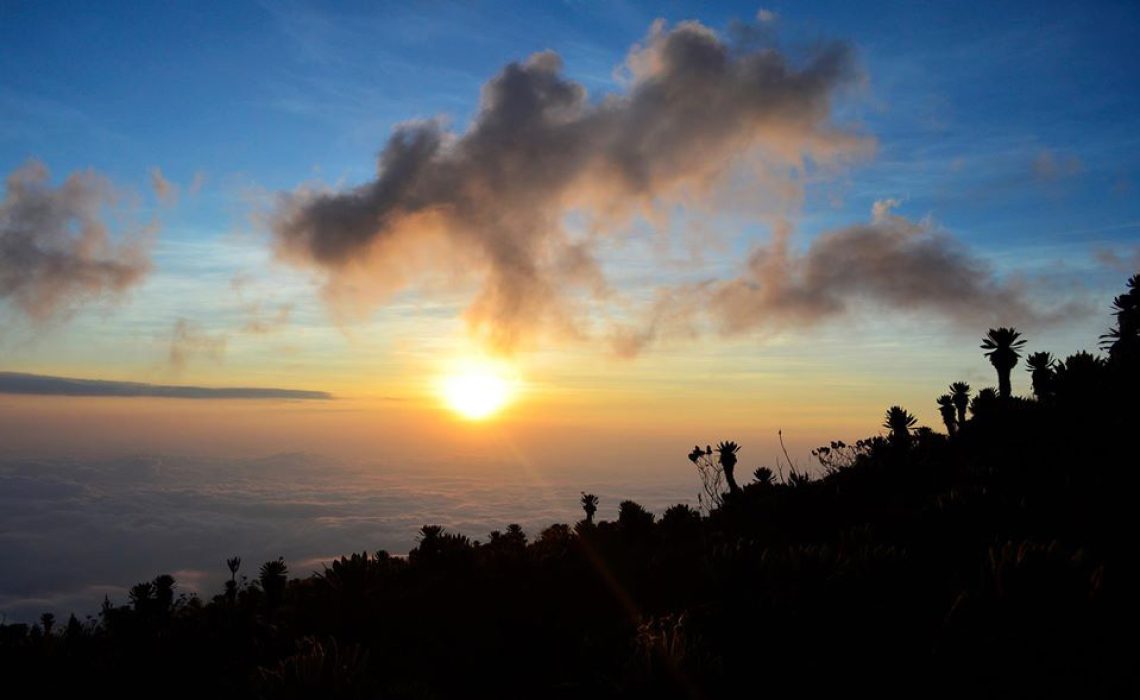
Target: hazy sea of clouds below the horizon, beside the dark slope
76	531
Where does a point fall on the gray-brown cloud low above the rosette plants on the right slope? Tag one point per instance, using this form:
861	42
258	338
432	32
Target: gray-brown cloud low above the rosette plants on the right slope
890	263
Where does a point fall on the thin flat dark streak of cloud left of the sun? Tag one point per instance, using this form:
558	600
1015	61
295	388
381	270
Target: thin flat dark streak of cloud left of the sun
15	382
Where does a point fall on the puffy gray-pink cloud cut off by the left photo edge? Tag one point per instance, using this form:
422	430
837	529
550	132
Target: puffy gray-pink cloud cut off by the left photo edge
56	253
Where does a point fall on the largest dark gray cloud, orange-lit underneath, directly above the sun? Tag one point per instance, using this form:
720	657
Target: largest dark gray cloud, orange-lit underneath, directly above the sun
493	199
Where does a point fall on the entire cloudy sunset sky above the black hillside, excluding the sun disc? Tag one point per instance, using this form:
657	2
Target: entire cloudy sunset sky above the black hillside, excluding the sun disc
259	238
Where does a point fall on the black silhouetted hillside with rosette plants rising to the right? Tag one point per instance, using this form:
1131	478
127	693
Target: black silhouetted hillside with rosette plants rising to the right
995	557
